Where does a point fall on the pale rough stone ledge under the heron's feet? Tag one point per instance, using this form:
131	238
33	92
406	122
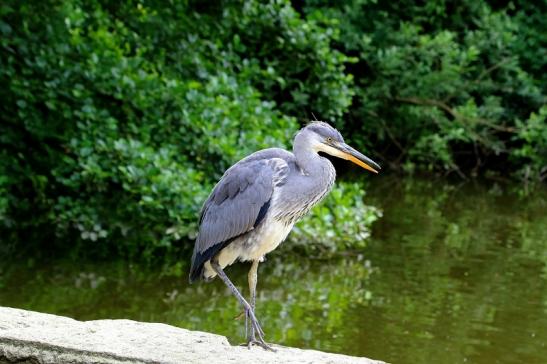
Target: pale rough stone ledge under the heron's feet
32	337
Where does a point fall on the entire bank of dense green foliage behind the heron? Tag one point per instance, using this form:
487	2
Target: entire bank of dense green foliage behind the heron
118	117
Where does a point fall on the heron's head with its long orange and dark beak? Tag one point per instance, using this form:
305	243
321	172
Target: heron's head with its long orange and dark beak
328	140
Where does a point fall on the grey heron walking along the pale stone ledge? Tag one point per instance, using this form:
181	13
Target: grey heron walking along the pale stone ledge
254	206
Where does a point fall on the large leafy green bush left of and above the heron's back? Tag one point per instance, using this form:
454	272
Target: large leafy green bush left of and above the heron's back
119	118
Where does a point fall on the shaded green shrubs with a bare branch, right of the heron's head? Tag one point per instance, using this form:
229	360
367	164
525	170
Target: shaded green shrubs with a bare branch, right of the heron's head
443	85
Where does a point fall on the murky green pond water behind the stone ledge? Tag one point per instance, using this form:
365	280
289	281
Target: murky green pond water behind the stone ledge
452	274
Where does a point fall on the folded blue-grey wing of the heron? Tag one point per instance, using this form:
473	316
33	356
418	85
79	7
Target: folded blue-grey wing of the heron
238	203
